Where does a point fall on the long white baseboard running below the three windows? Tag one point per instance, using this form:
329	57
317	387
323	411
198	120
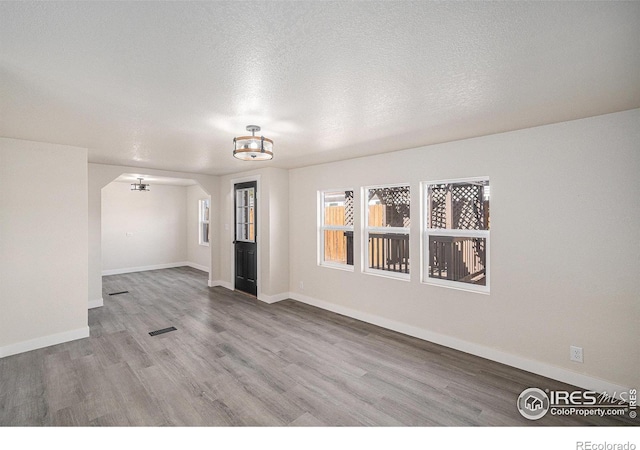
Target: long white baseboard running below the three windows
546	370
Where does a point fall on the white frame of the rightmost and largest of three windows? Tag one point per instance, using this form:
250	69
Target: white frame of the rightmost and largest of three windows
451	232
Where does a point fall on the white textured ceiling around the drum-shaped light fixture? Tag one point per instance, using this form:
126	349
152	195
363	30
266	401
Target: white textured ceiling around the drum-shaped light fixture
167	85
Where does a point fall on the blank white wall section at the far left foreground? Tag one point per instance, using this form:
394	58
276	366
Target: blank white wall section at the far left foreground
43	243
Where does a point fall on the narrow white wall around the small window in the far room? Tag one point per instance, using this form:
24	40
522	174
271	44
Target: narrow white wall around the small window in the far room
198	255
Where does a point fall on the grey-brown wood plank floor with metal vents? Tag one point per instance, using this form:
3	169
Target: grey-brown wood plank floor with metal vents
234	361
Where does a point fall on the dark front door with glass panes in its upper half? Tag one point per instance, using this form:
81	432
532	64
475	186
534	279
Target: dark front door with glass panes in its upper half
246	259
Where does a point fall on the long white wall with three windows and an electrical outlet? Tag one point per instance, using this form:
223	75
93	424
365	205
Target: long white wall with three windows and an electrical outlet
565	248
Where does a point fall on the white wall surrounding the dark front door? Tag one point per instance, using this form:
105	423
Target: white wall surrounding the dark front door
272	231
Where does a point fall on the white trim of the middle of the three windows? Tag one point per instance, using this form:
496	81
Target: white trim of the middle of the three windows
366	229
